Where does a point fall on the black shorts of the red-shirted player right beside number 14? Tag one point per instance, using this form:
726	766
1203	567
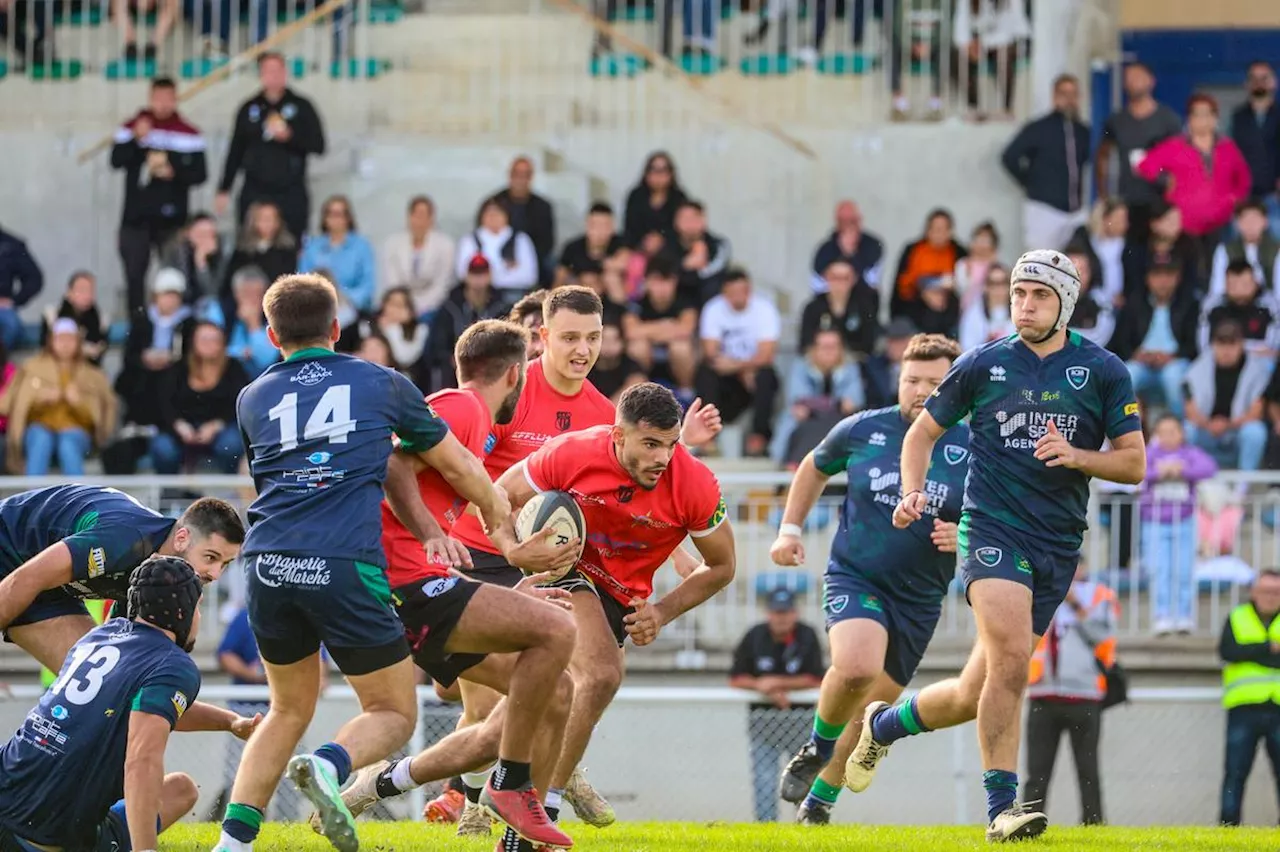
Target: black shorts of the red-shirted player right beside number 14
431	610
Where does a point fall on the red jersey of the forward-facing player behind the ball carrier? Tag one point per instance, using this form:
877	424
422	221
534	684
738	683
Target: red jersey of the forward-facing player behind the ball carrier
542	415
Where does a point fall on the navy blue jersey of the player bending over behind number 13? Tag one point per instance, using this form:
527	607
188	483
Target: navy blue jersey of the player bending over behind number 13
108	533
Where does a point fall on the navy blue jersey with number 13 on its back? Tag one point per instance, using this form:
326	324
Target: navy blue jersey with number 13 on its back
65	768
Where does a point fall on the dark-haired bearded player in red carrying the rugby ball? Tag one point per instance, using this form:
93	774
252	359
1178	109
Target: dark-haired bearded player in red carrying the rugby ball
641	493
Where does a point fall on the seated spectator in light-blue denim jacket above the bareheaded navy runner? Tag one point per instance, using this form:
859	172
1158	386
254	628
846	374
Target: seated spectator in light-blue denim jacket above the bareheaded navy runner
824	387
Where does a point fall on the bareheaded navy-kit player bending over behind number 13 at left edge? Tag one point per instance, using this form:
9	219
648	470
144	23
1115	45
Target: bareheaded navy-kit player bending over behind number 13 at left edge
67	544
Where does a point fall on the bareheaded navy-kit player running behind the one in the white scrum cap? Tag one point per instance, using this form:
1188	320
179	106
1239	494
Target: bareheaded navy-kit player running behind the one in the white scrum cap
884	588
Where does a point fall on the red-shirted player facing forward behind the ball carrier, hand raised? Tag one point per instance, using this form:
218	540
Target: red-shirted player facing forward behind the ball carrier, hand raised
557	400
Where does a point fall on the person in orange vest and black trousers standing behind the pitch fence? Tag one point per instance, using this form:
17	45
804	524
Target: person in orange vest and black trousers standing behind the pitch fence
1066	691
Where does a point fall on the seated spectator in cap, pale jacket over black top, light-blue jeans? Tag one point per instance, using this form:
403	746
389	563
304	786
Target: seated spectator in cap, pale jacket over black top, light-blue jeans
1223	393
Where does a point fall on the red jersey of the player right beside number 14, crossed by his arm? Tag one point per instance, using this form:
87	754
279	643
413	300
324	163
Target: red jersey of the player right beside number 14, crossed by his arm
469	420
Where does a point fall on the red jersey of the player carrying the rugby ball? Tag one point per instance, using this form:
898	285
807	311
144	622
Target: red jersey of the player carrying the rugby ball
630	532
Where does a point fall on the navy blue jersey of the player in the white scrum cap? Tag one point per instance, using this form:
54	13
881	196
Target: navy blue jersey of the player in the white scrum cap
1011	395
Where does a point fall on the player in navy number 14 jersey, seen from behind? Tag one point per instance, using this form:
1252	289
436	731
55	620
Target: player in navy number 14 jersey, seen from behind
318	428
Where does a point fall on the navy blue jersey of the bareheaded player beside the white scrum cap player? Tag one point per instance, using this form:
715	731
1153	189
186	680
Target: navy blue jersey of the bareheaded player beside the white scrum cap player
868	446
